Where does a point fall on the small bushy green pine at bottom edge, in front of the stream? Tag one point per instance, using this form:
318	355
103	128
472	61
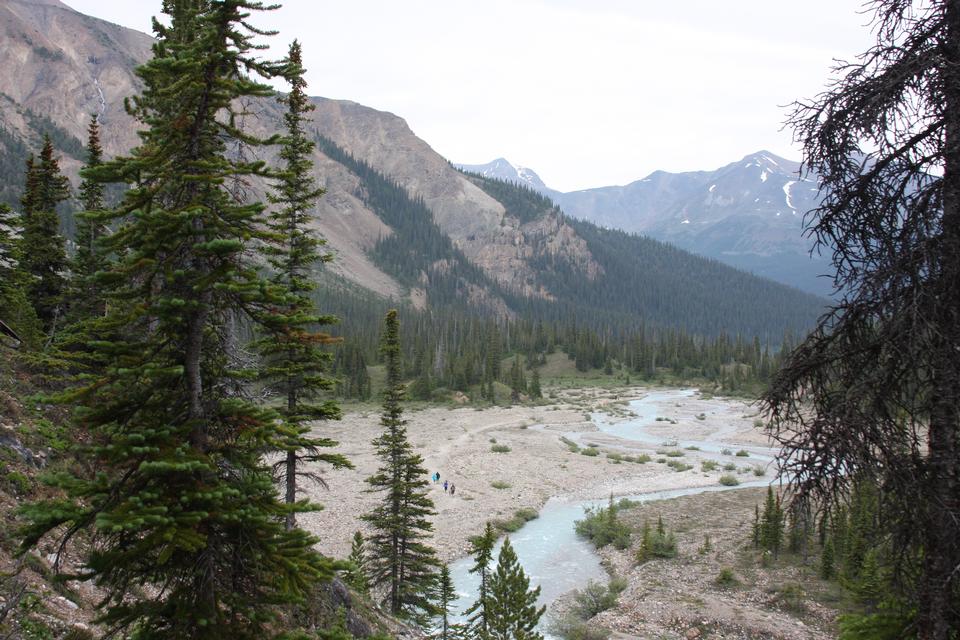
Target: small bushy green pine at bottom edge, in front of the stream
512	607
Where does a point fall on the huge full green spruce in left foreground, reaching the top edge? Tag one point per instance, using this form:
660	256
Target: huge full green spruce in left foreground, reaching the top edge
188	535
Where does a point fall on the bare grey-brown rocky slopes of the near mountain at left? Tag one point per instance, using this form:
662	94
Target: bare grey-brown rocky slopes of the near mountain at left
69	66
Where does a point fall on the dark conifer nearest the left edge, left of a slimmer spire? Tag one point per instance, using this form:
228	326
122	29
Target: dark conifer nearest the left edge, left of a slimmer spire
43	250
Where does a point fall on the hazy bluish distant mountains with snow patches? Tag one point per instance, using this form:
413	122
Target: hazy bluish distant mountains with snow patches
748	214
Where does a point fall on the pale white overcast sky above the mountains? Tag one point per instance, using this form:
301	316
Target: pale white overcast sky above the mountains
587	93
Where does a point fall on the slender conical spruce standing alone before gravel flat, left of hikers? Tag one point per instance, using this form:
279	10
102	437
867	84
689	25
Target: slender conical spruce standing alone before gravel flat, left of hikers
401	564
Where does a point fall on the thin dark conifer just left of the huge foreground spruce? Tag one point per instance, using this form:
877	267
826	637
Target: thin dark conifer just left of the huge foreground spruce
86	299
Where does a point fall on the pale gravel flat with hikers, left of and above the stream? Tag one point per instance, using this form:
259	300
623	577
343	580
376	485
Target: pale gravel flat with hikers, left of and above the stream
459	444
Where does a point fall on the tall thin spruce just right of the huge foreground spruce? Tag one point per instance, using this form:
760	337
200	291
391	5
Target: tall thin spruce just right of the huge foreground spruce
295	362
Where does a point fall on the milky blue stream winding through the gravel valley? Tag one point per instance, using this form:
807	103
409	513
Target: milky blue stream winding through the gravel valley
548	548
